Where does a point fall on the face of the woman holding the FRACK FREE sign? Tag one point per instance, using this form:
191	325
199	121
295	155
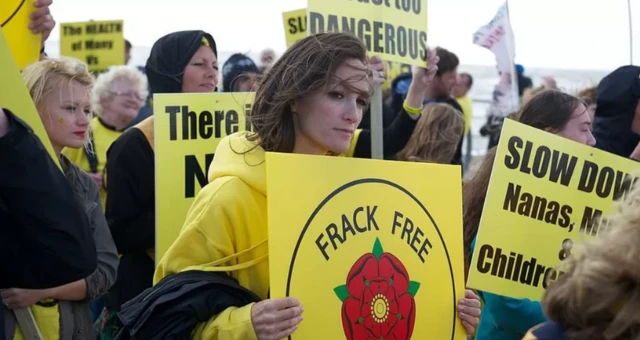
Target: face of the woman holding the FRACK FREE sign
327	119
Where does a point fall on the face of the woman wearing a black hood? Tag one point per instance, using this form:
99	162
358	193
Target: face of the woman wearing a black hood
201	74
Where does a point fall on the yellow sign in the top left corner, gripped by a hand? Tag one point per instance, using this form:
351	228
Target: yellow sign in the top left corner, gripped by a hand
14	20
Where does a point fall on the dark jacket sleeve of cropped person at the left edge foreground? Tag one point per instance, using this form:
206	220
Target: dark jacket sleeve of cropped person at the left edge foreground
45	238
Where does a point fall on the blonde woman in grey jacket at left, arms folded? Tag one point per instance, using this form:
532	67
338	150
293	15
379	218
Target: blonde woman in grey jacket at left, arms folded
61	90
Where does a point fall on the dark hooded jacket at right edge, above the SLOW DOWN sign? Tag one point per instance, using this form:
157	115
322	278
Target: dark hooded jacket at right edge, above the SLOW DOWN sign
617	97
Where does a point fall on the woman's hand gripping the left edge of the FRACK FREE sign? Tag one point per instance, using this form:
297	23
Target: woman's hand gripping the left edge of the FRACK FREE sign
276	318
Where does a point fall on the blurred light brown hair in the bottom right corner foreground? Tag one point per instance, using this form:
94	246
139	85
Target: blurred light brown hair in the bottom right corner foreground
599	296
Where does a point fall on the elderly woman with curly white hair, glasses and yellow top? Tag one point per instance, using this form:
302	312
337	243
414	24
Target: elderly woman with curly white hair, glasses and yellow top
117	97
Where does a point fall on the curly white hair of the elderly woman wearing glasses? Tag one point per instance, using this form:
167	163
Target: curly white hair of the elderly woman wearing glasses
104	85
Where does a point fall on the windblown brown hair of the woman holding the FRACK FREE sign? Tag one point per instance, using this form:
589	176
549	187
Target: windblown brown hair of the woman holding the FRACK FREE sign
307	66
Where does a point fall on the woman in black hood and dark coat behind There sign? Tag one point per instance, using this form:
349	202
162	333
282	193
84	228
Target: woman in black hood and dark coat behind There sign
180	62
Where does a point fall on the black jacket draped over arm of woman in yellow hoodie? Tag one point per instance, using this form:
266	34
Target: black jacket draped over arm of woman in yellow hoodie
178	303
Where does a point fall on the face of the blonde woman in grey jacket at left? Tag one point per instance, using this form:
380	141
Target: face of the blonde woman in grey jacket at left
64	113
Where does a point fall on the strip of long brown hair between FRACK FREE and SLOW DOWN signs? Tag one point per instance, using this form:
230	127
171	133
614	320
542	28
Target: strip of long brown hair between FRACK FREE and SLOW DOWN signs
474	192
